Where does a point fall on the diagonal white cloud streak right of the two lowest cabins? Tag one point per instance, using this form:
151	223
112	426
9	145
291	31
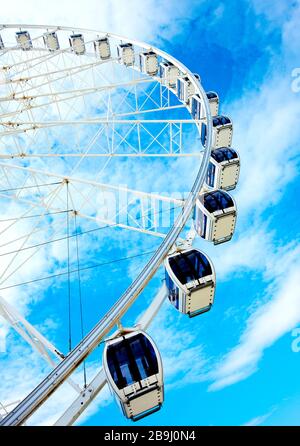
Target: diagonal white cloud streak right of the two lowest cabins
268	322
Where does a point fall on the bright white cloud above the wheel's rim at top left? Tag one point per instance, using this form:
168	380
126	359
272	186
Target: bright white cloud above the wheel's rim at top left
145	20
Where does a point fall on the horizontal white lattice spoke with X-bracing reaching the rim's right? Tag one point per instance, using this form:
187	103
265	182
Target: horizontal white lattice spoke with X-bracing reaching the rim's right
109	142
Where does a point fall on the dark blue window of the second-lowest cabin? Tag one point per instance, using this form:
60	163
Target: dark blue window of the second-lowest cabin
189	266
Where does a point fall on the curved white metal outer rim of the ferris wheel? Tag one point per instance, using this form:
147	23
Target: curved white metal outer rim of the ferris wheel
19	414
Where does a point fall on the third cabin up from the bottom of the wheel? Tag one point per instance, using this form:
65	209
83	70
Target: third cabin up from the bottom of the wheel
215	216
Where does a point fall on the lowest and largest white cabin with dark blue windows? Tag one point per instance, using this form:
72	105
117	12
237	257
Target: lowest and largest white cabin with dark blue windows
133	368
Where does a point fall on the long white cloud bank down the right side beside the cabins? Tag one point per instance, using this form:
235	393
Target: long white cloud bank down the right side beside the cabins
267	136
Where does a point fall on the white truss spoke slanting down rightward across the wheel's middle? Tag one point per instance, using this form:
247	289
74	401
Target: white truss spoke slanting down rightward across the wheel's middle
137	213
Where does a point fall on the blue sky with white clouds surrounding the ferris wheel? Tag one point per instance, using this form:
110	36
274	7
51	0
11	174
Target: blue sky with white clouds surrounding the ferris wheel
235	364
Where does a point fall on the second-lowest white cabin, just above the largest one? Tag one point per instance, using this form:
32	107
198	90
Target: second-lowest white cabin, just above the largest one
190	281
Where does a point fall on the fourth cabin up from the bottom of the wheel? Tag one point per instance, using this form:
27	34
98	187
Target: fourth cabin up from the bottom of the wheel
223	169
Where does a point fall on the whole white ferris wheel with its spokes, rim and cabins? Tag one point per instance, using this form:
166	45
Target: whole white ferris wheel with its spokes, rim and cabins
92	127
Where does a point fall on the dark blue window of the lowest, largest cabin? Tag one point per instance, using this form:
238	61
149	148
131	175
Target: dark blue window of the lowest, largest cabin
131	360
